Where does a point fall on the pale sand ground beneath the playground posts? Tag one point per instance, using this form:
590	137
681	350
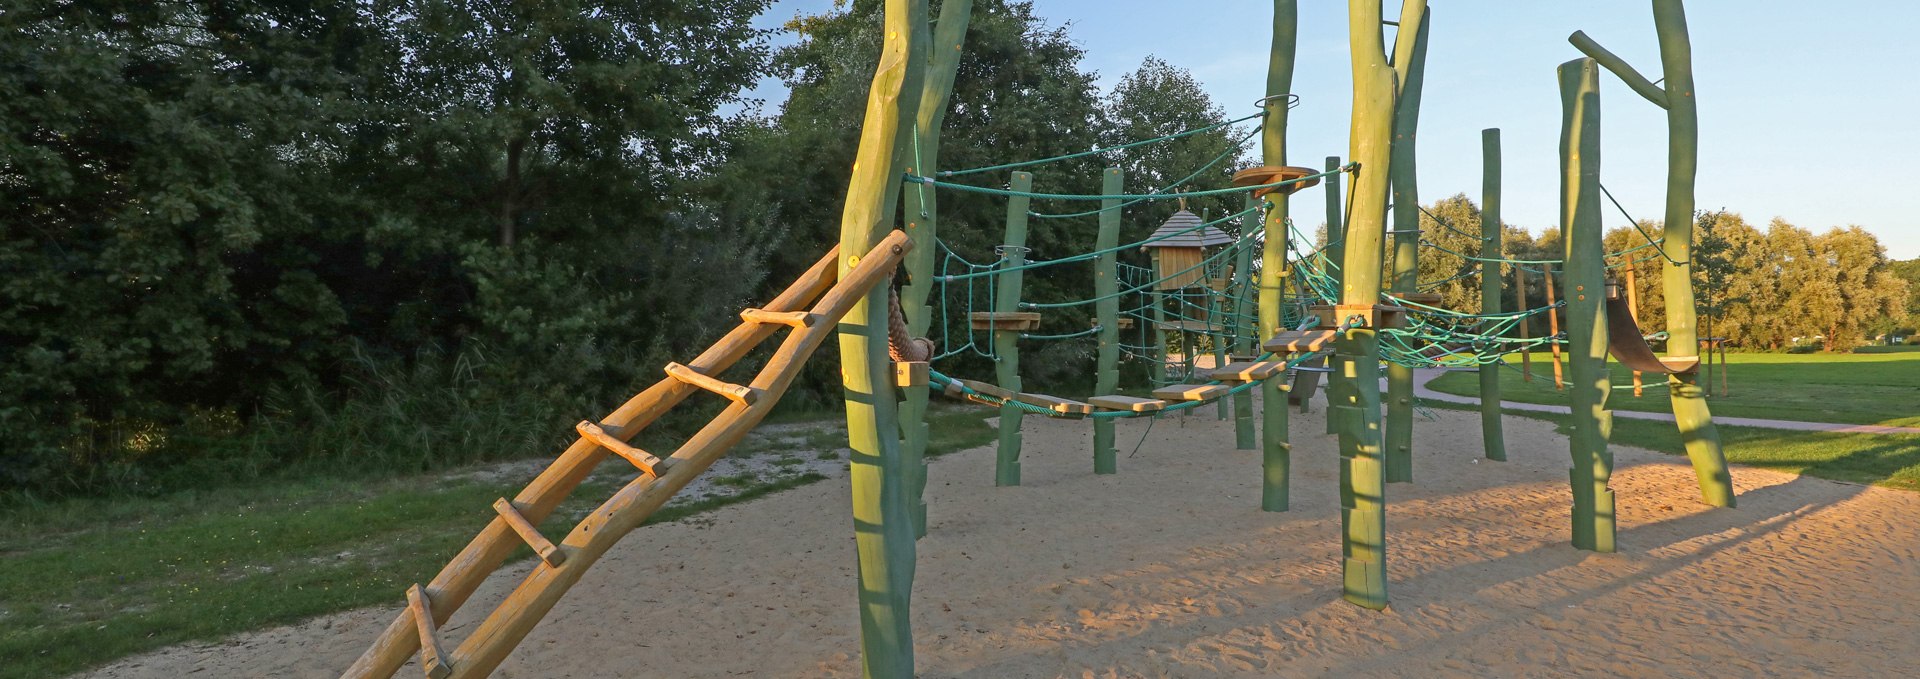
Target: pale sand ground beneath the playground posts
1170	571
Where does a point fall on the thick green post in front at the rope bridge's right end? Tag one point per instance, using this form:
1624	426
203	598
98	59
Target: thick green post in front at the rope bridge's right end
1355	392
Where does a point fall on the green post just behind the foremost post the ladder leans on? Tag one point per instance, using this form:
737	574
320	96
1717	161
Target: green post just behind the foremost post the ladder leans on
923	227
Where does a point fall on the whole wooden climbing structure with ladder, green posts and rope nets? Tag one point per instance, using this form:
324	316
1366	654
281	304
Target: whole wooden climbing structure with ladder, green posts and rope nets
1308	310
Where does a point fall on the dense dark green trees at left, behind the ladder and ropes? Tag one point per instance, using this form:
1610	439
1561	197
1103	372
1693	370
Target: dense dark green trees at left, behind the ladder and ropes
256	235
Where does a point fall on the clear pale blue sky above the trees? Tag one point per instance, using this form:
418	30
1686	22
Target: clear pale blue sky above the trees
1800	105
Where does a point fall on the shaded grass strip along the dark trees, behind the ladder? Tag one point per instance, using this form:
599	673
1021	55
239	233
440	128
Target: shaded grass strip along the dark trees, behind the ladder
91	580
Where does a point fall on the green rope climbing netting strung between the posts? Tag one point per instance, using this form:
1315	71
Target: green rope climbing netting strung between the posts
1218	316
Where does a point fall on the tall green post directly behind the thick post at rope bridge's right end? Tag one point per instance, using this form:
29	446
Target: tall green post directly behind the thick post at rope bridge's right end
1410	60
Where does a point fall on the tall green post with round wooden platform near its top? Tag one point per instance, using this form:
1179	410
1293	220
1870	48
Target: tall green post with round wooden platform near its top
1276	457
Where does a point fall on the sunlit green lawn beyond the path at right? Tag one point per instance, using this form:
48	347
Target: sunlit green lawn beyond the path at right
1881	386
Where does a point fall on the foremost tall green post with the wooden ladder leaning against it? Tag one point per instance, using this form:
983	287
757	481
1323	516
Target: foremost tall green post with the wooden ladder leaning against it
884	530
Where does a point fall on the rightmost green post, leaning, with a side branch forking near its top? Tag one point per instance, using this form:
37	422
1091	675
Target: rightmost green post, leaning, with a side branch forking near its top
1677	241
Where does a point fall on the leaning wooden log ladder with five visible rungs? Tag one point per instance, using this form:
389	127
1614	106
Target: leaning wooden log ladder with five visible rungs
811	310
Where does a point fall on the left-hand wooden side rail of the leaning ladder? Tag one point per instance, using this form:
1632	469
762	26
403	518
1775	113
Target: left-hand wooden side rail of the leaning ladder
498	540
